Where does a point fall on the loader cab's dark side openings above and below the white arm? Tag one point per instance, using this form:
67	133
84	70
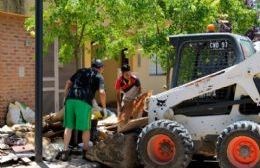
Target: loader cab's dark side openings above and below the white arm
201	58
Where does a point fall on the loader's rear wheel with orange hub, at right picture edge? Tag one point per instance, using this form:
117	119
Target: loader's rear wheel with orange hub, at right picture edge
238	145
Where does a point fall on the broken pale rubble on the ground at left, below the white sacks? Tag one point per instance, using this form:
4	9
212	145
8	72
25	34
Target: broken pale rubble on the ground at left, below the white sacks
17	142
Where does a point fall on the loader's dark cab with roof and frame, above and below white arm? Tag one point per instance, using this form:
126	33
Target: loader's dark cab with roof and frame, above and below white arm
198	55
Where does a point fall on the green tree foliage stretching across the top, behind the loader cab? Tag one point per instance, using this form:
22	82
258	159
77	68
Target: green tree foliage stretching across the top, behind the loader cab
113	25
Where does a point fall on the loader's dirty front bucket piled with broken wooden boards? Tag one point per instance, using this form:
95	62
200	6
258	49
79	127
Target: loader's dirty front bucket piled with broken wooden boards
116	141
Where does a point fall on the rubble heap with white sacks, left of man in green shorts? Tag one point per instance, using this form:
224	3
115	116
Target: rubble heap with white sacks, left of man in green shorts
17	138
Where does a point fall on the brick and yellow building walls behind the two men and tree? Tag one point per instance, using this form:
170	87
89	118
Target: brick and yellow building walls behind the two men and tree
17	65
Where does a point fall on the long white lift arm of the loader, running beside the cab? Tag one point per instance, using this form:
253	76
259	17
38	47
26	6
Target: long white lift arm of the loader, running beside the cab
241	74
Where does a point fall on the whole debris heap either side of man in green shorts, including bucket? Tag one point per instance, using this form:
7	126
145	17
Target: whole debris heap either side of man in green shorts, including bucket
113	138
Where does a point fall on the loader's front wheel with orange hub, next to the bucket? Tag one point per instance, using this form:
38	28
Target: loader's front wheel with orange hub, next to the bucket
175	145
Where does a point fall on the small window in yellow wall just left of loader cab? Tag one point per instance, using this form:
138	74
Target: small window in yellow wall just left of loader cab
154	66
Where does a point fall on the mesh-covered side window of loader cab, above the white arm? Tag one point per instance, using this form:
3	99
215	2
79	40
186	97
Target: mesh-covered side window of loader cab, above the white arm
200	58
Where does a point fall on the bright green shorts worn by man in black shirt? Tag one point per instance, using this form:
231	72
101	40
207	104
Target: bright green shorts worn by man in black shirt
77	115
